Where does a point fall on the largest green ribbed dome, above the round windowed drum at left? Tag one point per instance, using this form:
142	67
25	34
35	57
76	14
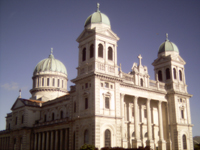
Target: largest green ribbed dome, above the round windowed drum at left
50	64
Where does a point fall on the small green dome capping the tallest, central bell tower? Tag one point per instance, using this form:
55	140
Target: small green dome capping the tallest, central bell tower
97	17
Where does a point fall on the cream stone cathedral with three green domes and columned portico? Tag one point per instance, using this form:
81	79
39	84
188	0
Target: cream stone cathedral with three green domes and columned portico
106	107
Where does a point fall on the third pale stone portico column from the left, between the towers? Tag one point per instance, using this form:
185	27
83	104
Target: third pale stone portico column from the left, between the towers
149	141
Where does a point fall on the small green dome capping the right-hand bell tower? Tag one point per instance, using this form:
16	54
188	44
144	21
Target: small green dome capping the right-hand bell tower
168	46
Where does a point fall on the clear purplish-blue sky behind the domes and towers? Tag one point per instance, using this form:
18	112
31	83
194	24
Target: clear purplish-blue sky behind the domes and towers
28	30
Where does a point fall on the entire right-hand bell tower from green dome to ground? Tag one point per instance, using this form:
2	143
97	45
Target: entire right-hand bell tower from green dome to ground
169	68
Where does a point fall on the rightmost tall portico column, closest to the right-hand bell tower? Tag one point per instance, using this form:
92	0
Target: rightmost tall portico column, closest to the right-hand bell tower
161	142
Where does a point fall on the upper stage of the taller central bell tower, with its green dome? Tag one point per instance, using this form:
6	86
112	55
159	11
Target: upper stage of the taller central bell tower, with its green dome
97	46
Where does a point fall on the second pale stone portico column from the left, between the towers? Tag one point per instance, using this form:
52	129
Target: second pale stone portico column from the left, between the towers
137	142
